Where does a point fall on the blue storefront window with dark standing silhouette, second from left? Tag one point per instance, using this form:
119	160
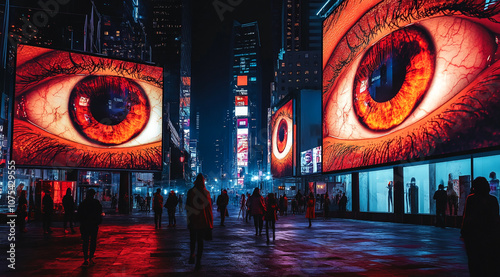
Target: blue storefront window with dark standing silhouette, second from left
416	191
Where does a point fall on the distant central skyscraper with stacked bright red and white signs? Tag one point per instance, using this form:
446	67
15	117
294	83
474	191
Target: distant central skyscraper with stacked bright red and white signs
247	92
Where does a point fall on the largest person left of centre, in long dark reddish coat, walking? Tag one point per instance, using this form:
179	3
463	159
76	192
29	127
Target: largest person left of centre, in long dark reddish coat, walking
199	218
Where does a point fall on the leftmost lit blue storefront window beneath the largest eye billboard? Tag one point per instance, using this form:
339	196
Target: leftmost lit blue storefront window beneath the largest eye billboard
376	191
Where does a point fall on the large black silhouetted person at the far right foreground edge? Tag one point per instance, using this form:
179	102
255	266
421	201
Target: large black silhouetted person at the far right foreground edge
480	229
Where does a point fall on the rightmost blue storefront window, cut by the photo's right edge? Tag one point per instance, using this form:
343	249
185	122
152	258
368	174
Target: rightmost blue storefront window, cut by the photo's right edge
488	167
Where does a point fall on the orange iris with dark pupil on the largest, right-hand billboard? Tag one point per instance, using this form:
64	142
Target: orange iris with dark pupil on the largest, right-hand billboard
393	77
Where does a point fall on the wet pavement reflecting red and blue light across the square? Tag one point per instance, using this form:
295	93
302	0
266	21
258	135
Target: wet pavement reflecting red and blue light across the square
128	245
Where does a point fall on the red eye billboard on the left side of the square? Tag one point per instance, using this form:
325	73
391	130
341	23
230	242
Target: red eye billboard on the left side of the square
77	110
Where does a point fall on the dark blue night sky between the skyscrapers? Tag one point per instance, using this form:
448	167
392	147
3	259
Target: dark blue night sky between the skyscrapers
211	59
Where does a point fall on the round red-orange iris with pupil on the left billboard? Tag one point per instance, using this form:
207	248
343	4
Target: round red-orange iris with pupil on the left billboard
109	110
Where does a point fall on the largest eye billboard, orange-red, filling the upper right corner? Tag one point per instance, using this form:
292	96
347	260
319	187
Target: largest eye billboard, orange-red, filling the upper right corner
404	80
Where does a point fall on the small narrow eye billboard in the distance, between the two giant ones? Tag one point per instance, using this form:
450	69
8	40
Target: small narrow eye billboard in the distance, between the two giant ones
283	141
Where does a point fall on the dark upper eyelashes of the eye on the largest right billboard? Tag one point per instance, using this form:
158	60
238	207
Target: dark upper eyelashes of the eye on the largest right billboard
414	13
